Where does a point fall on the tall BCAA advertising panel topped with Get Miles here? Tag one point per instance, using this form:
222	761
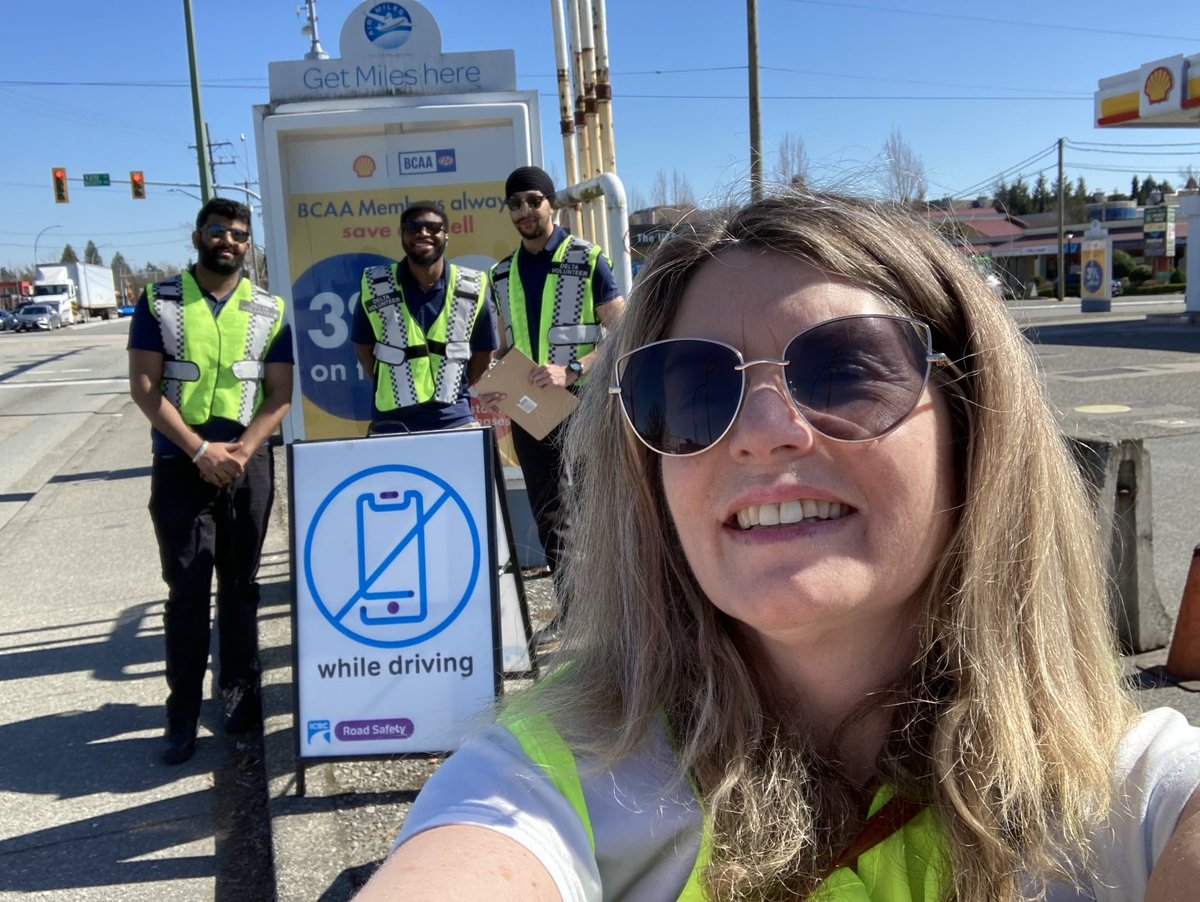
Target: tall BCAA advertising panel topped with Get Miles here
345	147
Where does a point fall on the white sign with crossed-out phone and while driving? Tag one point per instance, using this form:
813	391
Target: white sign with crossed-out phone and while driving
398	641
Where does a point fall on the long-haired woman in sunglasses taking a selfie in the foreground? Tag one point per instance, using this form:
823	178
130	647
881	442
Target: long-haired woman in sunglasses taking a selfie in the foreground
845	633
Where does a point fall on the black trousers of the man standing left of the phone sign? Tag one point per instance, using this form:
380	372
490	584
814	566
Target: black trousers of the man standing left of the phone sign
202	530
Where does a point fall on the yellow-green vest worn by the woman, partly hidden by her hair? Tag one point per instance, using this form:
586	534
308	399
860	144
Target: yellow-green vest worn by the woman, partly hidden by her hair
908	867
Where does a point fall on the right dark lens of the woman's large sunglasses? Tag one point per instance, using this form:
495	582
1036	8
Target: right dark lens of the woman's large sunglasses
857	378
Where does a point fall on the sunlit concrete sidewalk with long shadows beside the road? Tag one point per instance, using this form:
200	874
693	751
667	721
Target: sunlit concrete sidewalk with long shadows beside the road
87	809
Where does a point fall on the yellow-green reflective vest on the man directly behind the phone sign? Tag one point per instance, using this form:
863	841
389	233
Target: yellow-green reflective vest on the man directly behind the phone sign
416	368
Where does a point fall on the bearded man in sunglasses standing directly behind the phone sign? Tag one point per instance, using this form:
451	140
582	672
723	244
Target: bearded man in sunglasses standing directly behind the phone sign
423	330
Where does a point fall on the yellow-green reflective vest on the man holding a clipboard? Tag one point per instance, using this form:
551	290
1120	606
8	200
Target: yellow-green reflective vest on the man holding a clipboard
568	329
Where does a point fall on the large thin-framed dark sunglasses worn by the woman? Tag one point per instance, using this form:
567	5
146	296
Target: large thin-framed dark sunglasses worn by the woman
853	380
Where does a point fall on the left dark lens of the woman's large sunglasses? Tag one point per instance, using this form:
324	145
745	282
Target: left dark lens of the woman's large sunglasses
681	395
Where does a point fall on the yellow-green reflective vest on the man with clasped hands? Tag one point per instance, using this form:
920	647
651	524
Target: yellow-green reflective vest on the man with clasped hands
214	366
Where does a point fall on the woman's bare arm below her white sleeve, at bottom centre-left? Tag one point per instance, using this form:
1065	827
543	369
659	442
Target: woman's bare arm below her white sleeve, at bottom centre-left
461	863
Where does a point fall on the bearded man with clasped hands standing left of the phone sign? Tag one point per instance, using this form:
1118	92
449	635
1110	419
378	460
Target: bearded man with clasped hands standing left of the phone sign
211	366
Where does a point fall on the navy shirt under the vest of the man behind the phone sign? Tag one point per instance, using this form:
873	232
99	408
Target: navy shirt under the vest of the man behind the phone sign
425	306
